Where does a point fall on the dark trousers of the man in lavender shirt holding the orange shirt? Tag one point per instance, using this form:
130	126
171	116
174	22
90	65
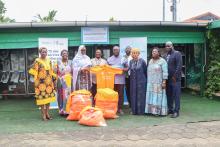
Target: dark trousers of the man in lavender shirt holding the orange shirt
120	89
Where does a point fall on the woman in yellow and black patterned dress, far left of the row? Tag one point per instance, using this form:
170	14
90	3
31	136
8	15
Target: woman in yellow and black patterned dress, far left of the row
44	82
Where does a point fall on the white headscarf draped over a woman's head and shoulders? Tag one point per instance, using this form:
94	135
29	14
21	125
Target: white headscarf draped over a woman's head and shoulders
81	60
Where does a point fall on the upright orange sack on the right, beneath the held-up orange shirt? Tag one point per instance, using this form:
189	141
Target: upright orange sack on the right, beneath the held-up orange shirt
107	100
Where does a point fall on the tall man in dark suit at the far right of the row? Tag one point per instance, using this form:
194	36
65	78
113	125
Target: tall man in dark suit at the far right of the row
174	61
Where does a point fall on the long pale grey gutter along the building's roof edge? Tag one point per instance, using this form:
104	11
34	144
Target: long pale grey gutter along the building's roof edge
99	23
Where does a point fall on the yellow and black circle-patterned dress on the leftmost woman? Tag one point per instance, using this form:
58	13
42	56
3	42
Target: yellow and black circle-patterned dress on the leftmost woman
44	79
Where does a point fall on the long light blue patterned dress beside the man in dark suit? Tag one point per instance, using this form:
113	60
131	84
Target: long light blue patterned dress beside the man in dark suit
156	100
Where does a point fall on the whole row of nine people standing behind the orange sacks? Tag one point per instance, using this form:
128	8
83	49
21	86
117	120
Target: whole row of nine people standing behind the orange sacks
152	88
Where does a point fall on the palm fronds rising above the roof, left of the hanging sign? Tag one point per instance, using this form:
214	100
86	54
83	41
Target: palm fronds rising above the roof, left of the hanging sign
49	18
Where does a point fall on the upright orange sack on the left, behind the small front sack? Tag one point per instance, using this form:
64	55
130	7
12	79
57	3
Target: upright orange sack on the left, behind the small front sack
77	101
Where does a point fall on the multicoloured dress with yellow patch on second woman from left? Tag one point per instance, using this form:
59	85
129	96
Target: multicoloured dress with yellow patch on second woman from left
64	73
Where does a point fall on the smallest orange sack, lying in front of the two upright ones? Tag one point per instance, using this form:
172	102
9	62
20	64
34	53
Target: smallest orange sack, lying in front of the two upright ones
91	116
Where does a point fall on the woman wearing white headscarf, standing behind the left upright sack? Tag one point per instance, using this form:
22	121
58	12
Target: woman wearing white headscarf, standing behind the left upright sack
81	75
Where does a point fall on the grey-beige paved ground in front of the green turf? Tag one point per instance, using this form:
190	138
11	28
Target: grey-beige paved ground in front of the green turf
190	134
